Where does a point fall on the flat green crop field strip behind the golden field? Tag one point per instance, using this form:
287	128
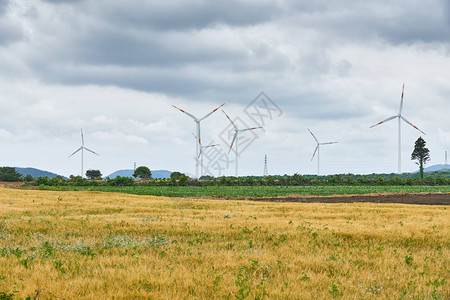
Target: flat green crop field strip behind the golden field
255	191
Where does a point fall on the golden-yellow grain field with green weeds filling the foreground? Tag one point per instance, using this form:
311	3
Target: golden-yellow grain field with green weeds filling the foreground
86	245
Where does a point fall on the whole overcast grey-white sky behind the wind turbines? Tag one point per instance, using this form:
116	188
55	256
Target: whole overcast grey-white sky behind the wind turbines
115	68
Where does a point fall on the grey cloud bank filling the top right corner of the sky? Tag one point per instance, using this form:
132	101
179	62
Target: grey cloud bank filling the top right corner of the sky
394	22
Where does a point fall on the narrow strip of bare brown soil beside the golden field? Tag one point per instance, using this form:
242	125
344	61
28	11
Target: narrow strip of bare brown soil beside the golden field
405	198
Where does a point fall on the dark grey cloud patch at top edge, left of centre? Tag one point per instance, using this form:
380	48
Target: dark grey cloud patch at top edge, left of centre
186	15
